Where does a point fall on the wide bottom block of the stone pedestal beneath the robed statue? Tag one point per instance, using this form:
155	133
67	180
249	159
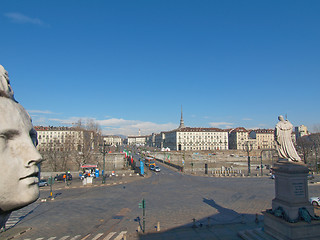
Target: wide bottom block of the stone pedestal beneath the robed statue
283	230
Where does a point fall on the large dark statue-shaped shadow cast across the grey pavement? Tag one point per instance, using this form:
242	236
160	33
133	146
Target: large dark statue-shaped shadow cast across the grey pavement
224	225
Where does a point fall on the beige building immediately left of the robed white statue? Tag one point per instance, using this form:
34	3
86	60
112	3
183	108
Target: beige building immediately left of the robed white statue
264	137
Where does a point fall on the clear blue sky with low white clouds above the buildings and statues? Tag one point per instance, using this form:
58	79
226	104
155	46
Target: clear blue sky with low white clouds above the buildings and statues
131	64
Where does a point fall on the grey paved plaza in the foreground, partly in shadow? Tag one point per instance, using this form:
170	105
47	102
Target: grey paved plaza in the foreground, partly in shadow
183	206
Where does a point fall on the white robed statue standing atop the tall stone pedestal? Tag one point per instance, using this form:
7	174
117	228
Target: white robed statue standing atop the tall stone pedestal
284	142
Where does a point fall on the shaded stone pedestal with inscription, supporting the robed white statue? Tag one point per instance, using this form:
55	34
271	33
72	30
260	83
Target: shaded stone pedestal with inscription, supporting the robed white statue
291	190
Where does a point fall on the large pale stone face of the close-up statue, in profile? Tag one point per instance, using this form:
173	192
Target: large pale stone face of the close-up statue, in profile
18	157
